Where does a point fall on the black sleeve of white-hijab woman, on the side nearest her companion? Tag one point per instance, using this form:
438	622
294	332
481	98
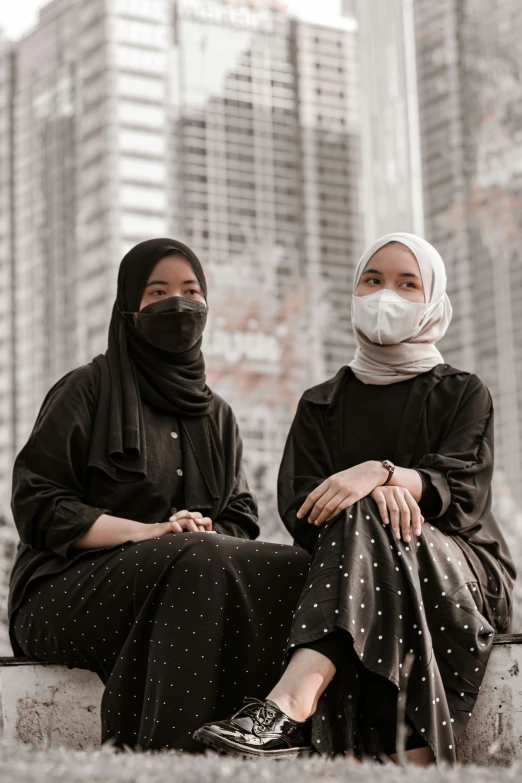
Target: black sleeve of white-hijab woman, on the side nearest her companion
306	463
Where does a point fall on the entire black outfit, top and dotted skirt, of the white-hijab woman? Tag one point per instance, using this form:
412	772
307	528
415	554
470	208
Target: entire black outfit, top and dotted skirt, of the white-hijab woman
443	595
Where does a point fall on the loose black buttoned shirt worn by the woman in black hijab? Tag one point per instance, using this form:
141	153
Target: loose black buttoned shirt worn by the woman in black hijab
57	496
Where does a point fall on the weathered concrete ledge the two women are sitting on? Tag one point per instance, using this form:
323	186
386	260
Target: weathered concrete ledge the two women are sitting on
48	704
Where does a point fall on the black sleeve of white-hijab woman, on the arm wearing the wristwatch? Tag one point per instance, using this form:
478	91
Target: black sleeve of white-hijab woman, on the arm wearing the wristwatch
461	471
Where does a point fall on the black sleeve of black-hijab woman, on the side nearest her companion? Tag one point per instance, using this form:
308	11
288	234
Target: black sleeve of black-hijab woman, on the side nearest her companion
240	514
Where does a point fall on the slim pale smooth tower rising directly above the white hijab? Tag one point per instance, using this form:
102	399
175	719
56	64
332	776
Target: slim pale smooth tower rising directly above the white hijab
391	184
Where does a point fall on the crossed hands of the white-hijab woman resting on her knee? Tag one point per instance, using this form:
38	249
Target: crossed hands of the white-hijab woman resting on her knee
396	505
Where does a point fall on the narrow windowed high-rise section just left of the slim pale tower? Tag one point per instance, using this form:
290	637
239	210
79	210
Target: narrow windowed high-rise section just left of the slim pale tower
327	93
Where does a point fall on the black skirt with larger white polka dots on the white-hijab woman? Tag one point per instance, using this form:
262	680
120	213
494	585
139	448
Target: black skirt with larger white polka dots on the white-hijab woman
393	598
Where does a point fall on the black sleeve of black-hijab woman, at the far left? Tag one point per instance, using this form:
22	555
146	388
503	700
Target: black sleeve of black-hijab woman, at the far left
48	473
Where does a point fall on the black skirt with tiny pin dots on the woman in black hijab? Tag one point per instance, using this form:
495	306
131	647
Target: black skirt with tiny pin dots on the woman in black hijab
179	628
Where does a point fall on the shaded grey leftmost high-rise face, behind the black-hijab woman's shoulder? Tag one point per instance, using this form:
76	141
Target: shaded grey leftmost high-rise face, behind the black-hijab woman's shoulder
46	264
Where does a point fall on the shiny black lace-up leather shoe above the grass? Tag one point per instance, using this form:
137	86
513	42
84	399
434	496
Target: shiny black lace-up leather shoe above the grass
259	729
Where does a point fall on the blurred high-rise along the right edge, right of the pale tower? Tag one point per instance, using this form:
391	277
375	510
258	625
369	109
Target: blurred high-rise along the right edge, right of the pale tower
469	62
